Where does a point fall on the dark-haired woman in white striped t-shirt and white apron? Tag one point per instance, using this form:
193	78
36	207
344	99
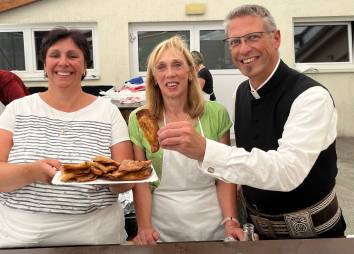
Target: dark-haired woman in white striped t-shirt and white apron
40	132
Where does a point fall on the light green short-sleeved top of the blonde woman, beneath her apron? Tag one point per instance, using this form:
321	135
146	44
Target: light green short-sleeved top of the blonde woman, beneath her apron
215	121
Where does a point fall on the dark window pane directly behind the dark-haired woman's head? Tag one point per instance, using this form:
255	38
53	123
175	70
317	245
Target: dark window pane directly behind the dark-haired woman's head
39	35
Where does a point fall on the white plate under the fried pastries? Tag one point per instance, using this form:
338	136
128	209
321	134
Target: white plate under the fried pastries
56	180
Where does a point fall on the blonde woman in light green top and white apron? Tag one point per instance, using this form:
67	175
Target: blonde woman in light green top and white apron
185	205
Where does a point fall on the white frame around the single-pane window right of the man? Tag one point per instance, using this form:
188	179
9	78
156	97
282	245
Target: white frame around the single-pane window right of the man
326	67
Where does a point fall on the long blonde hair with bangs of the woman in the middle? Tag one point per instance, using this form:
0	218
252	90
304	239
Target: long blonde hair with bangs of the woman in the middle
154	100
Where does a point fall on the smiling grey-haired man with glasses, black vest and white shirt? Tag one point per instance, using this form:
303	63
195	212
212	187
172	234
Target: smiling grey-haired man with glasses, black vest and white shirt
285	130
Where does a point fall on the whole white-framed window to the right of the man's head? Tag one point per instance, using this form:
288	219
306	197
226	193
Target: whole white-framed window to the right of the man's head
324	46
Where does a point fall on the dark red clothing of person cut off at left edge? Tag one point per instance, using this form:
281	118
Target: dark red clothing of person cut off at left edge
11	87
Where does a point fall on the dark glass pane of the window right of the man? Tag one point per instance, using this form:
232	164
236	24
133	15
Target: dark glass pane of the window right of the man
321	43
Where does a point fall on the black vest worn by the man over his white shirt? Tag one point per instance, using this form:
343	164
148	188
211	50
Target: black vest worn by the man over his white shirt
259	124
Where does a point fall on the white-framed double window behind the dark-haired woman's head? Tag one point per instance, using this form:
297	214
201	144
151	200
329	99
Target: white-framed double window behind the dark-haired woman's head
19	49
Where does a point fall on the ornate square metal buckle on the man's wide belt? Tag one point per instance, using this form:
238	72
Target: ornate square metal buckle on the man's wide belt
300	224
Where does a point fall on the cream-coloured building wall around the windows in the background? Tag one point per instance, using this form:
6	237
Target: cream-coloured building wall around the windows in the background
113	17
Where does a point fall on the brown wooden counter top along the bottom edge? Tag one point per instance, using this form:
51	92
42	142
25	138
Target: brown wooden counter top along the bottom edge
311	246
